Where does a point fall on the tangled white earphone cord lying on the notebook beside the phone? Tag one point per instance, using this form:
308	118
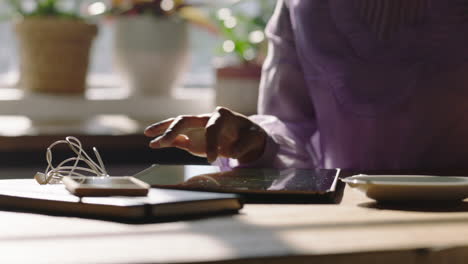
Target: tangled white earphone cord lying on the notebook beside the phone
53	175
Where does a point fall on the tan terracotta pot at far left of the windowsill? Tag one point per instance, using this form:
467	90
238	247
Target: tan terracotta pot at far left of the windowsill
54	54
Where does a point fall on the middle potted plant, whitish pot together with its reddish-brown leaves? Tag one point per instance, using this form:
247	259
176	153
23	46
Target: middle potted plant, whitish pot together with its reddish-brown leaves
152	43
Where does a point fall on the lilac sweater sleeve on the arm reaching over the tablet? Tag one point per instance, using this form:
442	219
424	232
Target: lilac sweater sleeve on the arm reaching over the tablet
285	108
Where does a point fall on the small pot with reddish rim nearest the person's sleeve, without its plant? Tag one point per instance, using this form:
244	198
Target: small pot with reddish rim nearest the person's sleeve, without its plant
237	87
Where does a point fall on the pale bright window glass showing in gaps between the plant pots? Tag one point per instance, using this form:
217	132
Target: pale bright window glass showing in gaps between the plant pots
199	74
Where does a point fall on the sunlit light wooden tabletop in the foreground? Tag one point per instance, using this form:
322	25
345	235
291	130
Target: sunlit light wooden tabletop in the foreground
356	231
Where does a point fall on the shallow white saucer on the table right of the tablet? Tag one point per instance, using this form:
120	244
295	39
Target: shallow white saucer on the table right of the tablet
410	187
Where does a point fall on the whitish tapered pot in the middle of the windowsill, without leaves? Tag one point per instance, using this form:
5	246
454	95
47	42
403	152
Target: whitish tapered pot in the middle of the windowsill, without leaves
150	53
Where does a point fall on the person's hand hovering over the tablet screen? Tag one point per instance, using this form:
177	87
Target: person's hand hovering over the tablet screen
223	133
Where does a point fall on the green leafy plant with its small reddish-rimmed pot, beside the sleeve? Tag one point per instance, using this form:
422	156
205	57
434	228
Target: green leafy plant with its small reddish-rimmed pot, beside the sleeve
243	47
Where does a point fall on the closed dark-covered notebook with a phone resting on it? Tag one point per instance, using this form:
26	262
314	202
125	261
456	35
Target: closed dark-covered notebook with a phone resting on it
28	195
